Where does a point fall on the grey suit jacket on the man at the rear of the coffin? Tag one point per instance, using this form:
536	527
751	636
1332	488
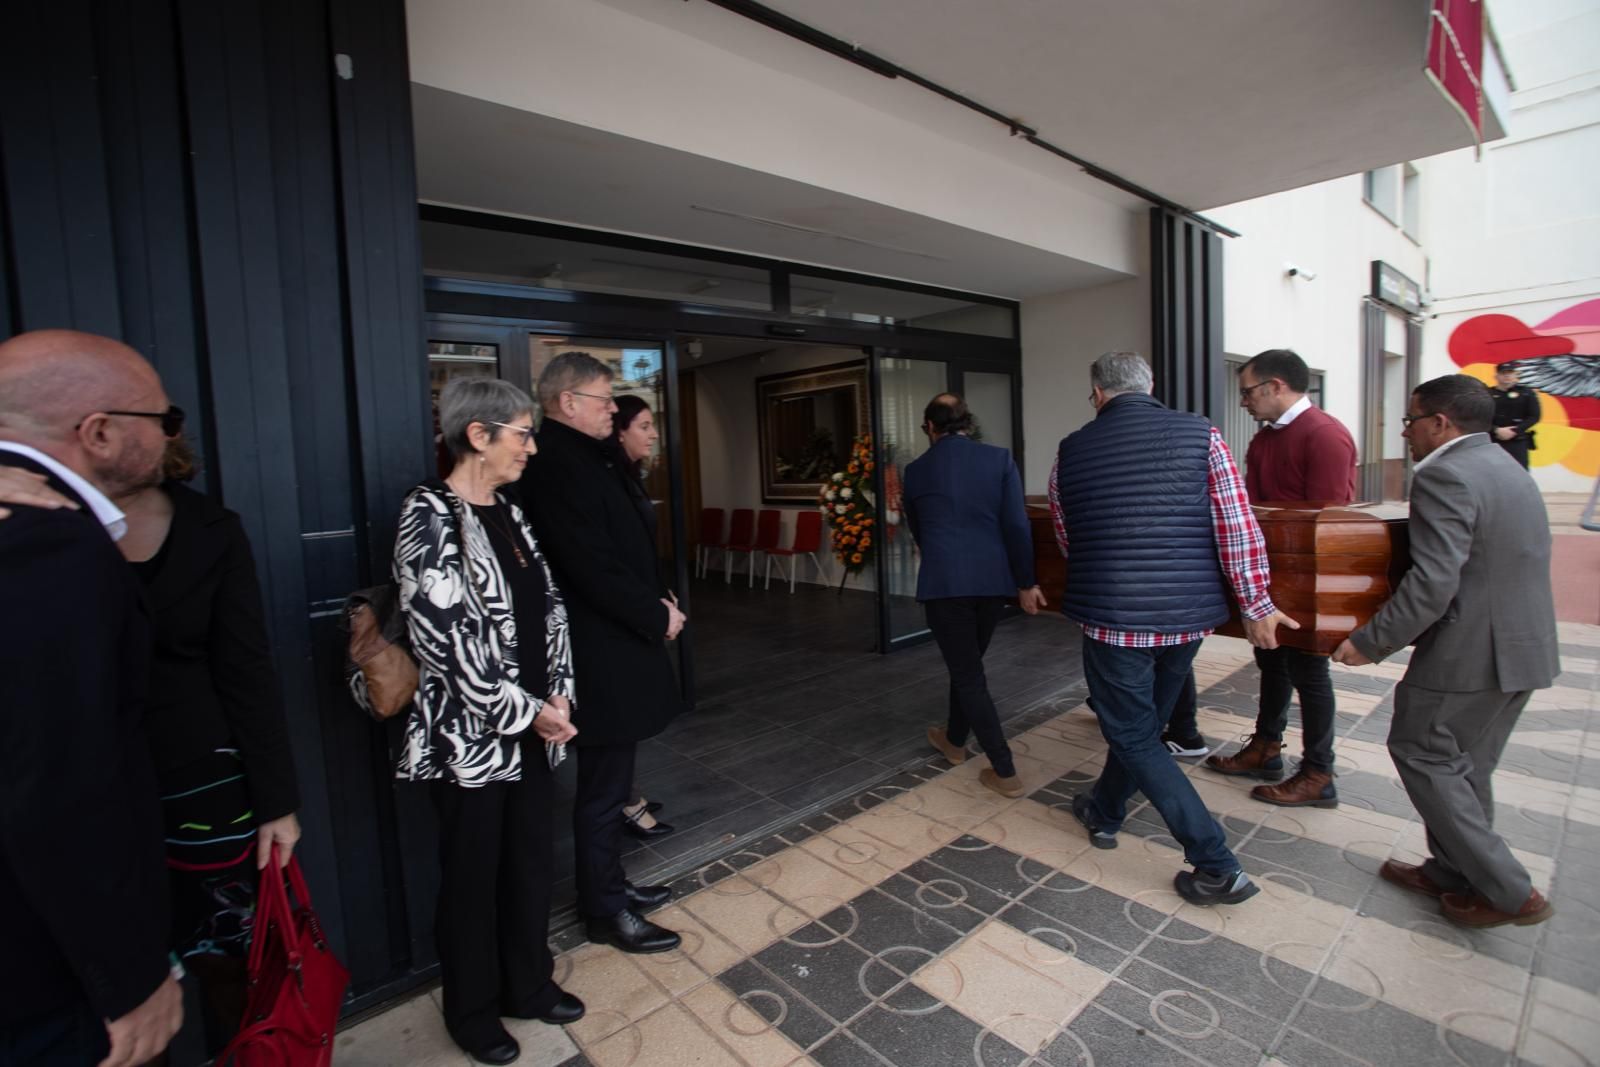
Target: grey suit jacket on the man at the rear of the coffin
1478	599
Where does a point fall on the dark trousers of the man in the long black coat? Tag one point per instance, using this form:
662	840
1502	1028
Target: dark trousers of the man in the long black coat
606	785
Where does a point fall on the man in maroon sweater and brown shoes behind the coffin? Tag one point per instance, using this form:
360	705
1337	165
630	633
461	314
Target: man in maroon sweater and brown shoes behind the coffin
1302	454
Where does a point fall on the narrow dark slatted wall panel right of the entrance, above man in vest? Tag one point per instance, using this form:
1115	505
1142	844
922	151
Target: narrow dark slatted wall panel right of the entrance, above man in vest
1186	316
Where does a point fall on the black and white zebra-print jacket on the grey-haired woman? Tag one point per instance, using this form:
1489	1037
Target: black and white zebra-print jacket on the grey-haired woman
470	705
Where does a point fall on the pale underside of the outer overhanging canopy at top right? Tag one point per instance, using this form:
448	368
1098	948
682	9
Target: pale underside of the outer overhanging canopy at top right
1201	102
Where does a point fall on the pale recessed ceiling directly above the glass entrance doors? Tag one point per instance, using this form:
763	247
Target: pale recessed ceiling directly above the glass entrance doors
490	158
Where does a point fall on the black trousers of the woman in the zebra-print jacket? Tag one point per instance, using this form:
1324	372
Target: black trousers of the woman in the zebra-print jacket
494	916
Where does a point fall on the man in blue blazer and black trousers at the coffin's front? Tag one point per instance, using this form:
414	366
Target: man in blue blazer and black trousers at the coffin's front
964	505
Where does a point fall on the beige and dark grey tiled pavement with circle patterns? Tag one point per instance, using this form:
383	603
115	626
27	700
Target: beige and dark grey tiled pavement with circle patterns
930	922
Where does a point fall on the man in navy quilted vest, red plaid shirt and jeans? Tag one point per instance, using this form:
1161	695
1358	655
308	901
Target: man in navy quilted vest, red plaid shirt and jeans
1164	533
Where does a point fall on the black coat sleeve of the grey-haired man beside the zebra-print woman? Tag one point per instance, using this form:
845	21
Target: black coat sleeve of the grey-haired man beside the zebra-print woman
569	519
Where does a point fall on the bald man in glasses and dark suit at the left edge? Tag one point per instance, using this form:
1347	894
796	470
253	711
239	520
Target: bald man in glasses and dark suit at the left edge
84	914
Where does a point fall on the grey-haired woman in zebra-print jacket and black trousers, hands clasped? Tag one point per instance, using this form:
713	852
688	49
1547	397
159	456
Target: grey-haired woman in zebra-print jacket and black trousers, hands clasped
489	631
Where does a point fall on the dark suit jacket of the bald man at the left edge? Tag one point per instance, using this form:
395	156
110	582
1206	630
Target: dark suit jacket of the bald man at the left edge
81	823
